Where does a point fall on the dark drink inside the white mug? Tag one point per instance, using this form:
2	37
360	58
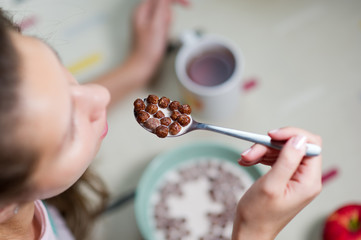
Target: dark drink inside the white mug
212	68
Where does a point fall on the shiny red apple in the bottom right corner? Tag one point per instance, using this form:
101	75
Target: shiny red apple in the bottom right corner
344	224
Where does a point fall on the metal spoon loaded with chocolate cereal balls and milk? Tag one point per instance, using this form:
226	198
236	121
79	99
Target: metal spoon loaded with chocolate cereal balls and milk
170	119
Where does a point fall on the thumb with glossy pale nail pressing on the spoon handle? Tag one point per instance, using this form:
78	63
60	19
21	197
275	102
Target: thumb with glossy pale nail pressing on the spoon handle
287	162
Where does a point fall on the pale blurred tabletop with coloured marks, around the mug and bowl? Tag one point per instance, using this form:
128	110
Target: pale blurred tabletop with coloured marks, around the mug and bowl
302	68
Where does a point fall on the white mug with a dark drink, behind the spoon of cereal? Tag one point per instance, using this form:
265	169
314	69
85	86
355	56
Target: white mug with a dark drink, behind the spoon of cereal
215	100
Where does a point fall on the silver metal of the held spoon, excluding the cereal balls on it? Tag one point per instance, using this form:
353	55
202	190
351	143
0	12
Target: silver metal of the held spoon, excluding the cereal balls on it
312	149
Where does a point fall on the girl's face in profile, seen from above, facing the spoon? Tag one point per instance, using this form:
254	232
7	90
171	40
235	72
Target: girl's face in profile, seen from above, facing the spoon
64	121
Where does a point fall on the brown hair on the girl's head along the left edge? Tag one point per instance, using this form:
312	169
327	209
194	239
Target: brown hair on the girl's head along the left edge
15	170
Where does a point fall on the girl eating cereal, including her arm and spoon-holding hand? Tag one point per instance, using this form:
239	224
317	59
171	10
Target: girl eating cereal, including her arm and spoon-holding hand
51	128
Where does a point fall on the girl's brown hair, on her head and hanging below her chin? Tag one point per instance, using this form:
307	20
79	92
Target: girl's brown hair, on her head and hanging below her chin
81	203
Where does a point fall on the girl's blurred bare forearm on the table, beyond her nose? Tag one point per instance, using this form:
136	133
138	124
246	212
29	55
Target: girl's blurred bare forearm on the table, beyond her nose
127	77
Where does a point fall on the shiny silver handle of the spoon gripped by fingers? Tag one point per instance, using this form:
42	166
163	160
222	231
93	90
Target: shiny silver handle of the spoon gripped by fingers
312	149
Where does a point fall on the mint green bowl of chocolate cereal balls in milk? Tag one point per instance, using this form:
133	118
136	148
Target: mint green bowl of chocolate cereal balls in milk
191	192
